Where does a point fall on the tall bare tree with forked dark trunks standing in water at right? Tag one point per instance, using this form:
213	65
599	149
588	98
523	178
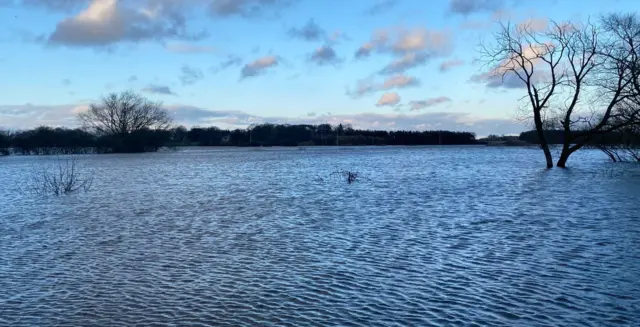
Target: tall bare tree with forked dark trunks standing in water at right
581	78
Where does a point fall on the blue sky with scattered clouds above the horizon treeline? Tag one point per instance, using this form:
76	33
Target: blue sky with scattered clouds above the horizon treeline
376	64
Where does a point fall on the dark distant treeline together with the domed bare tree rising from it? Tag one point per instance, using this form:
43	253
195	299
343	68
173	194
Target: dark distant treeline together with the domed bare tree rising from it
127	122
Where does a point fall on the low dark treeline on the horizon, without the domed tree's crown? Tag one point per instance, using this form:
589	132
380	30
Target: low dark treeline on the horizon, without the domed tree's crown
48	140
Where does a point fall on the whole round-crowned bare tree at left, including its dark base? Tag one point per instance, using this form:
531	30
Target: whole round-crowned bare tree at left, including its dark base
128	122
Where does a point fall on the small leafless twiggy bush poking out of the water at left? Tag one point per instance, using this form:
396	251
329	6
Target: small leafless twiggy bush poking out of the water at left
64	177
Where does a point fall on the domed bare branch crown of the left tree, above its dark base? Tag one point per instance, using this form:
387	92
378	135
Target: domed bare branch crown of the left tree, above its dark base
124	113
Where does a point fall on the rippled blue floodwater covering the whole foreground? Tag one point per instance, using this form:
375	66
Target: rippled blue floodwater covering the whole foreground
452	236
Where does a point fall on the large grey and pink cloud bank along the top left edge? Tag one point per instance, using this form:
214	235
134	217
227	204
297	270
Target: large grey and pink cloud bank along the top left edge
104	23
